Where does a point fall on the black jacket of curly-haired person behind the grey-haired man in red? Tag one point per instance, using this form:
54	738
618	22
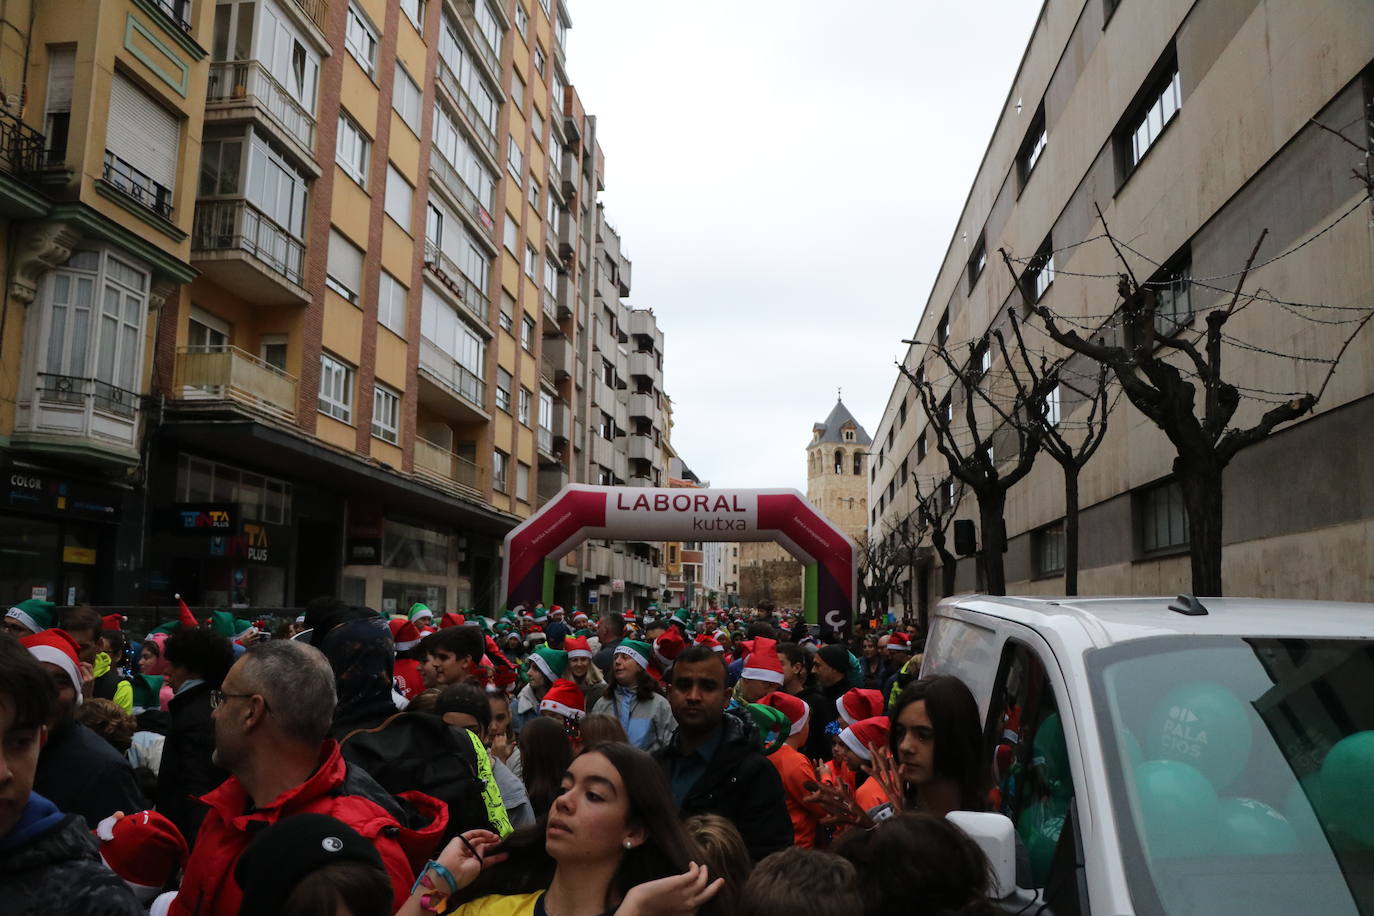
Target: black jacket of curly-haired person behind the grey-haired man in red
186	772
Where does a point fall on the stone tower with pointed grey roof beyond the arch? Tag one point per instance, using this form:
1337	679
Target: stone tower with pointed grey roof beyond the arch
837	472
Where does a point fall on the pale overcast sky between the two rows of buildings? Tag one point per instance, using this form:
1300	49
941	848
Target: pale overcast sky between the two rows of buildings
787	176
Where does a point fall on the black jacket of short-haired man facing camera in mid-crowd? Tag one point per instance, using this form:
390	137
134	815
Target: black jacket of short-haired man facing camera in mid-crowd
741	786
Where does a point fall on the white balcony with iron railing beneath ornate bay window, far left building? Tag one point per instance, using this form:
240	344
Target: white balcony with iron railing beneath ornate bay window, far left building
68	414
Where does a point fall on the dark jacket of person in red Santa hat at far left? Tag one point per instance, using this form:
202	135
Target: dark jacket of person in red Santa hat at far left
82	774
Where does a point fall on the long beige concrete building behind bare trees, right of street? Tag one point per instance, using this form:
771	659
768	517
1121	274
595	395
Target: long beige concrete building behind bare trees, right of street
1193	126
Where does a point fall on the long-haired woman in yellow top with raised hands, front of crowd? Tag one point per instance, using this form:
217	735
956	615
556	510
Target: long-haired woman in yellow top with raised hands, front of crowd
612	843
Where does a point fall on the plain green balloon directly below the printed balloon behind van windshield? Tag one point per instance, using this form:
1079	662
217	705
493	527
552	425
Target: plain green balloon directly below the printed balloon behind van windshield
1178	810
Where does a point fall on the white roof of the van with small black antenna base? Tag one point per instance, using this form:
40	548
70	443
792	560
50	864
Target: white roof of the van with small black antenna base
1107	621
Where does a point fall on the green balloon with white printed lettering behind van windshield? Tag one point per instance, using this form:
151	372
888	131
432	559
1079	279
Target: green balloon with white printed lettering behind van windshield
1203	724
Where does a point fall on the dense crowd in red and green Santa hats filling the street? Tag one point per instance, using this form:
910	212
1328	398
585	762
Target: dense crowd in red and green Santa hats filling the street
541	763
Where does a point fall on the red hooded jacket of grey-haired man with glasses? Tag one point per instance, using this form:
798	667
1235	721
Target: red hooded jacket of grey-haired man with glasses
405	830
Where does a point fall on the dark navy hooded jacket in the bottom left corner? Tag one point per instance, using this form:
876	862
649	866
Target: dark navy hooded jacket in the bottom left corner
50	865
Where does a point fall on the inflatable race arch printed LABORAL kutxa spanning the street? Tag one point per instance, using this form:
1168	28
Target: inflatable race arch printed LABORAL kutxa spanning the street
657	514
